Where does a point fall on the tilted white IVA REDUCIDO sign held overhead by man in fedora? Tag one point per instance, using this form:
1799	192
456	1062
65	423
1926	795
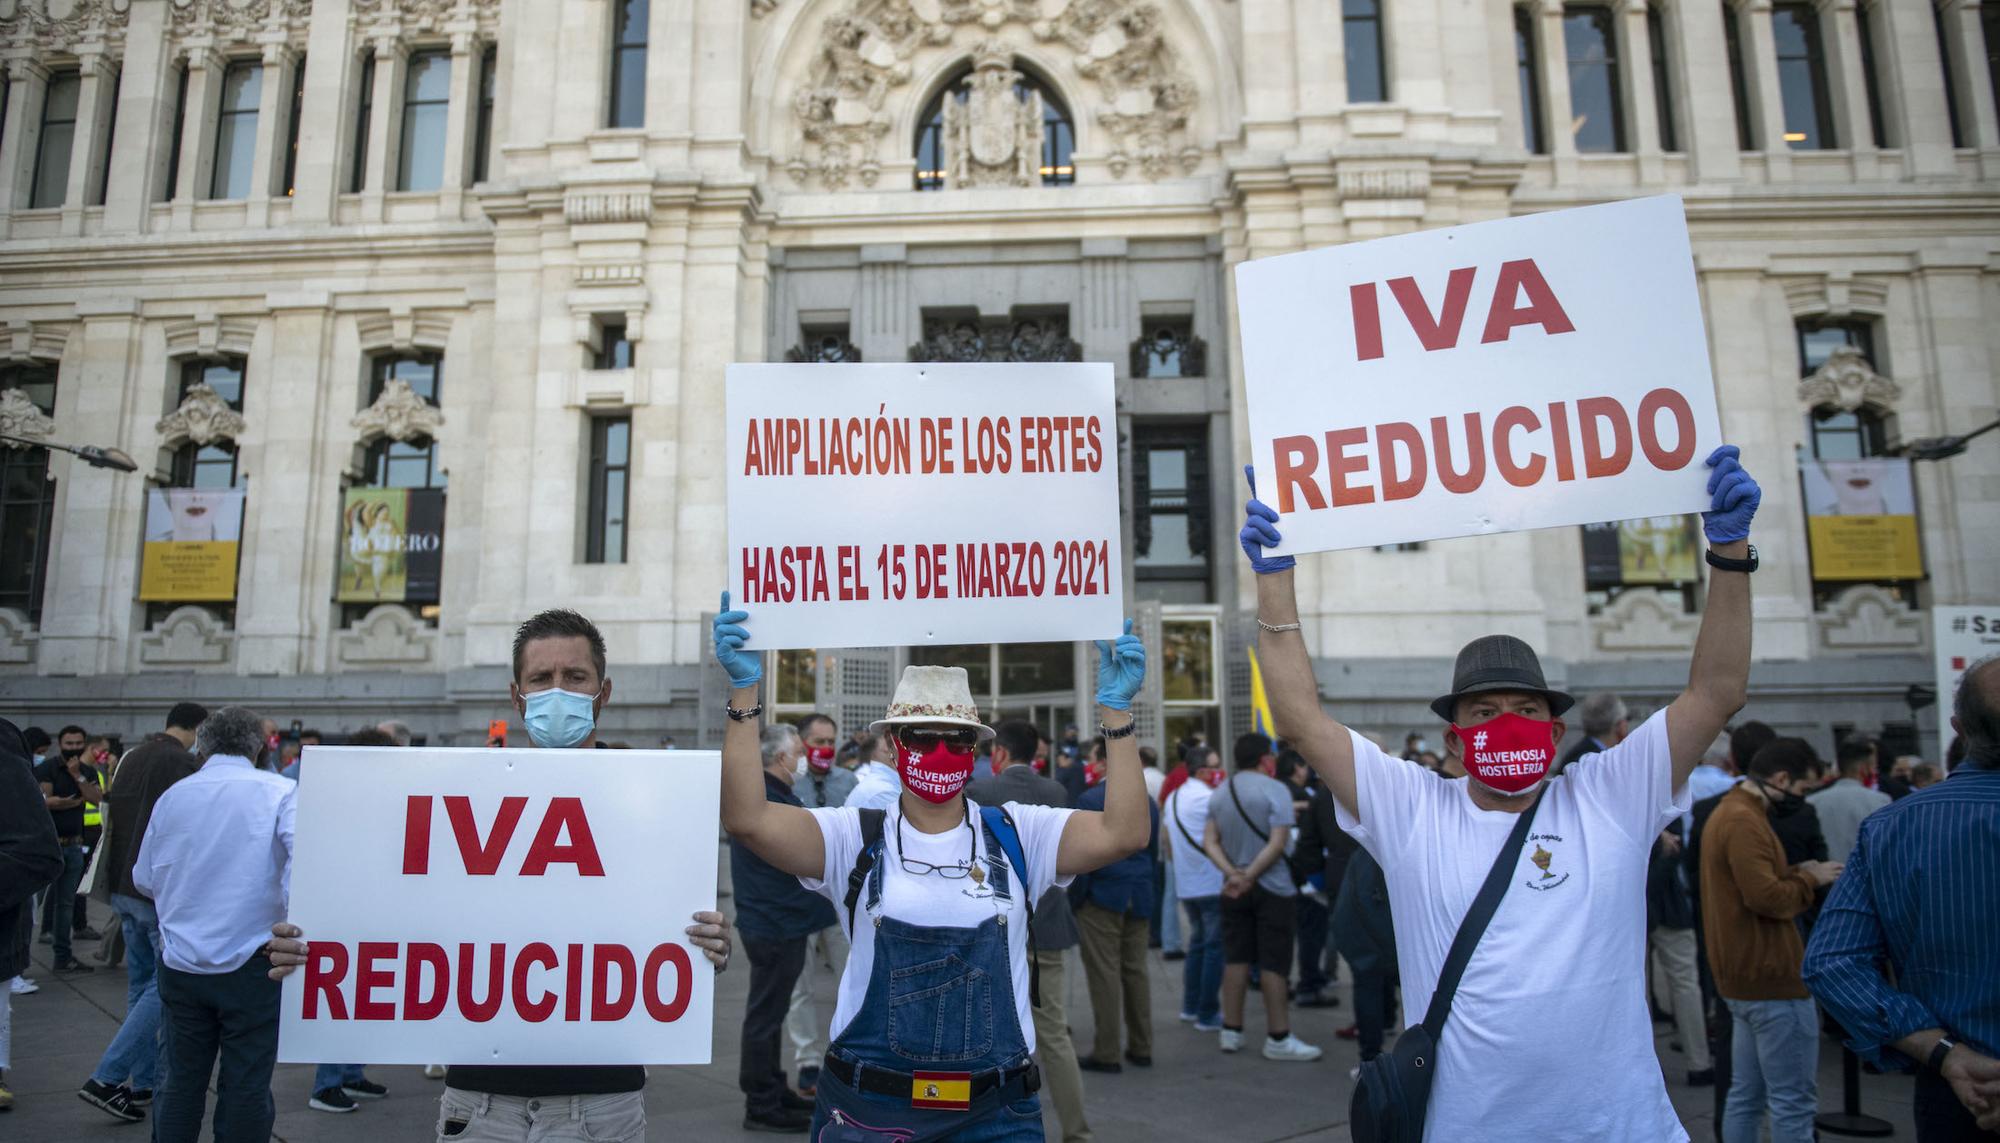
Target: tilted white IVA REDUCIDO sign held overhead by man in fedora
1513	375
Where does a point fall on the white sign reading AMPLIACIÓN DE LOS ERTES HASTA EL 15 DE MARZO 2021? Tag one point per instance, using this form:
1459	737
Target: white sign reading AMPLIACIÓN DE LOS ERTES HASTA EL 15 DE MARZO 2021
925	505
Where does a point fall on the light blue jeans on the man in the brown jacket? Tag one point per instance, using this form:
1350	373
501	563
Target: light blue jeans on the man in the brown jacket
1775	1060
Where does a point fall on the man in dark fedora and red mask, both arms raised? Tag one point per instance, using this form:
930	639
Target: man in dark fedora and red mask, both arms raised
1549	1034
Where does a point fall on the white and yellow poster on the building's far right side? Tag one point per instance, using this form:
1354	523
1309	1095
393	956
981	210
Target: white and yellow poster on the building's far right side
1861	519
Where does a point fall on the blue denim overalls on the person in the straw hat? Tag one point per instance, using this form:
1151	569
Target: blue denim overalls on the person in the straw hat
939	1000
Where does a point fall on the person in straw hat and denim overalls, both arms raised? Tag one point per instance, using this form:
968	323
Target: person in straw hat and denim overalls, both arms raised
933	1034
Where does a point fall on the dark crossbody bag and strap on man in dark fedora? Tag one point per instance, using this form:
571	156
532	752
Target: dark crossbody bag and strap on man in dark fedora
1393	1090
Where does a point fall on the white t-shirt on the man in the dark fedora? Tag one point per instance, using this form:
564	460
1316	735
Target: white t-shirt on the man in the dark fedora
1549	1034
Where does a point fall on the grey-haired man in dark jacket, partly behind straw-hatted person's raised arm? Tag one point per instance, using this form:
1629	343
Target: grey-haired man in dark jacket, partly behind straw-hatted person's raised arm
775	916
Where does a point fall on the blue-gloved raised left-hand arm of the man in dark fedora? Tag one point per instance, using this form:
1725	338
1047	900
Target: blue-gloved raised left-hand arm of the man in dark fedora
1289	682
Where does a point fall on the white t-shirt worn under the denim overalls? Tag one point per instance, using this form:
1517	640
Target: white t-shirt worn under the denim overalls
931	900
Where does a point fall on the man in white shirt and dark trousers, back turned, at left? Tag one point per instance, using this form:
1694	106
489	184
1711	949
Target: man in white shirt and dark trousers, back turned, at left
217	862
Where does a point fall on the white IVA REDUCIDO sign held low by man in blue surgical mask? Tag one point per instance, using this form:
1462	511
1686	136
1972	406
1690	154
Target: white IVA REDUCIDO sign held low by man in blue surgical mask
503	906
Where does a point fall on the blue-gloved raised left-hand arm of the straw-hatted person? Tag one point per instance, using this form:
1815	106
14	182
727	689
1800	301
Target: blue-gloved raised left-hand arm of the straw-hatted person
787	836
